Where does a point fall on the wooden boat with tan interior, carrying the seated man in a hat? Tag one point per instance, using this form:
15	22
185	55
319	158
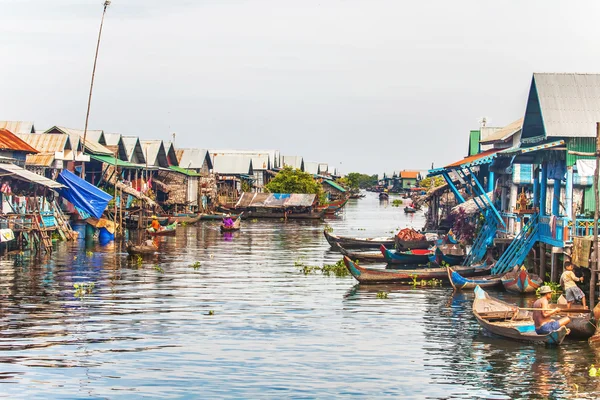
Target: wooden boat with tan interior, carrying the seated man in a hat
506	320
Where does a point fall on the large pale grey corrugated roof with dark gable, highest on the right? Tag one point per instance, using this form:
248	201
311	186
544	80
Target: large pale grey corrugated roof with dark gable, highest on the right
569	104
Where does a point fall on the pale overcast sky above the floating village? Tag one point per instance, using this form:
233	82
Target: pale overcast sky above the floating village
368	86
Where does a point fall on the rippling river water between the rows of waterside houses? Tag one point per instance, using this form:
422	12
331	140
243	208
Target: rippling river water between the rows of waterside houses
247	323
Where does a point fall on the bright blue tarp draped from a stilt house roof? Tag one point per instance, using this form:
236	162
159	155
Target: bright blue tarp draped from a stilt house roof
83	194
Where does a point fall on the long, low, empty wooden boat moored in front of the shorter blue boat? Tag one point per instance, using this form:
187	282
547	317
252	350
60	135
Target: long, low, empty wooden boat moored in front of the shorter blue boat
372	276
